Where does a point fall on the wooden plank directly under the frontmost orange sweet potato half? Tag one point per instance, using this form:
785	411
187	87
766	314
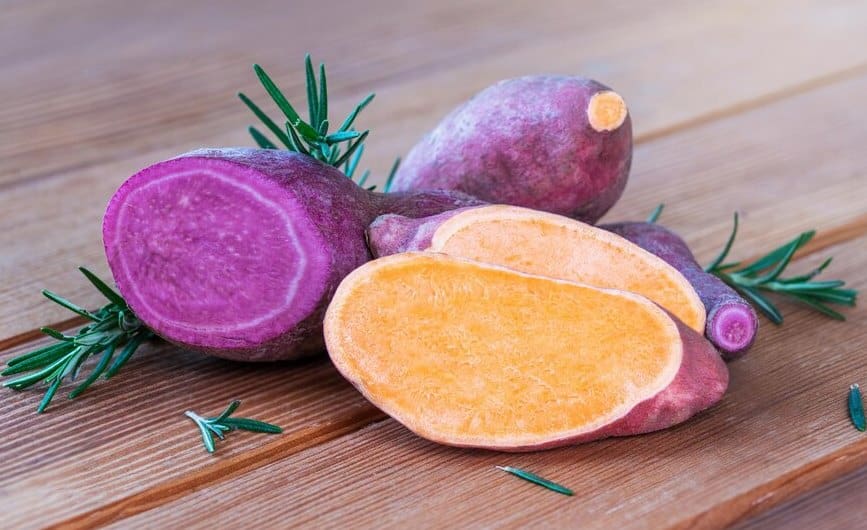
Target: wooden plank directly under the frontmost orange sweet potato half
782	416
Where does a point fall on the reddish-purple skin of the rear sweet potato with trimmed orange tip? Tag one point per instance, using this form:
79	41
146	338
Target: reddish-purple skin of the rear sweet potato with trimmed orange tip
526	142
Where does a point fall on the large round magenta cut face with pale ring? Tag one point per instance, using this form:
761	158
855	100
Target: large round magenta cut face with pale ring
212	254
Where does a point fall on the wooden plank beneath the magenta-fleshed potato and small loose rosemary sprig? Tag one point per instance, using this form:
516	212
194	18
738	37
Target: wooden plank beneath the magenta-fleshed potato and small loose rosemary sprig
114	469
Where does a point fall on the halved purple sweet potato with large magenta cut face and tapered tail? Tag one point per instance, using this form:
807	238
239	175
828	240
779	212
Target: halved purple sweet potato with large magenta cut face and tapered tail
237	252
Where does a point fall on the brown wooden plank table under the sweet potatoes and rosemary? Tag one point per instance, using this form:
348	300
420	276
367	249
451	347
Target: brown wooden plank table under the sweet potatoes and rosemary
738	105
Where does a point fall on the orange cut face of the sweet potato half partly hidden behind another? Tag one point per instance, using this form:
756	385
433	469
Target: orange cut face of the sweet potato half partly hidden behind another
551	245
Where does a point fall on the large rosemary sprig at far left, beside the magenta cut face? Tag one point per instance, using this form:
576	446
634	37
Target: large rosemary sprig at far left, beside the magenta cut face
111	327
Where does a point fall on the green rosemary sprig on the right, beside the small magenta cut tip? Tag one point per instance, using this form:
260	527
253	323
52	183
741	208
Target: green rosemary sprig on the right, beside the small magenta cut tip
765	276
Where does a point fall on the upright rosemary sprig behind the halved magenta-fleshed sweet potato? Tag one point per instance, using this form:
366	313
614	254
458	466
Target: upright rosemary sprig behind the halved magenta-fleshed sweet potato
342	148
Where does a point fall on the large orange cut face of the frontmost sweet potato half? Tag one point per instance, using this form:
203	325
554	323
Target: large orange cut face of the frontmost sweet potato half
467	353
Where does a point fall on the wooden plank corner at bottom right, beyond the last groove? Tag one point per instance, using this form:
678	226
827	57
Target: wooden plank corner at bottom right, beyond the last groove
838	504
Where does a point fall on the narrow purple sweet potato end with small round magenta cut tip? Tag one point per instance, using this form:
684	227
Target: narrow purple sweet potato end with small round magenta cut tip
731	321
